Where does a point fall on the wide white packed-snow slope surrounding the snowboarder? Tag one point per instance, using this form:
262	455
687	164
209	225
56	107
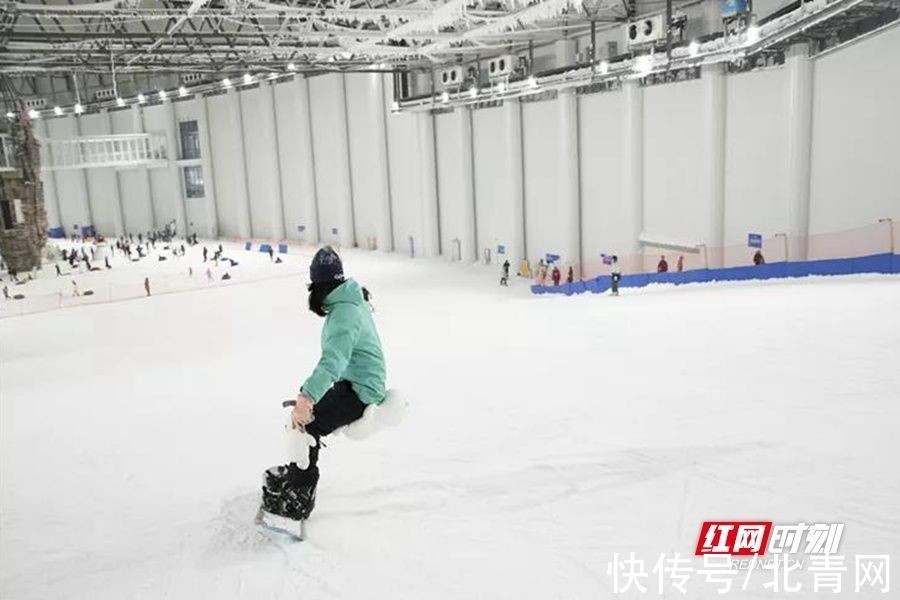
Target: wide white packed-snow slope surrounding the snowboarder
544	434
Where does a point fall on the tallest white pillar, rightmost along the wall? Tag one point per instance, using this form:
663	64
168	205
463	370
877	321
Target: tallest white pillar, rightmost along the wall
799	134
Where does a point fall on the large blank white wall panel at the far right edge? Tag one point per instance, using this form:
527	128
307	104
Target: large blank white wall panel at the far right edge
856	134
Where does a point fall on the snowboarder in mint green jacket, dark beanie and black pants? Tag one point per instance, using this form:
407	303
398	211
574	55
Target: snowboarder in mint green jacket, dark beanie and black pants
349	377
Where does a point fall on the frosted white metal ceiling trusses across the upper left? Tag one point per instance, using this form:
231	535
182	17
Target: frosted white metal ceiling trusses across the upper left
230	36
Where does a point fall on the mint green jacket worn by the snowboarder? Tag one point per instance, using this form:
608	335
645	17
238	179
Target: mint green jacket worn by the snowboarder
351	349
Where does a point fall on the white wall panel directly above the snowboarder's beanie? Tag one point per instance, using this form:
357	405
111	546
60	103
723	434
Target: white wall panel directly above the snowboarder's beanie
333	186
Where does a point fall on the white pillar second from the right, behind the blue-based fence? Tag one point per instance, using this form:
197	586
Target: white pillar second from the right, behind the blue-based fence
714	93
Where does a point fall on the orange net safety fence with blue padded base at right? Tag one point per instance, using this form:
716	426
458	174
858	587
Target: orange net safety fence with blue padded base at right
870	249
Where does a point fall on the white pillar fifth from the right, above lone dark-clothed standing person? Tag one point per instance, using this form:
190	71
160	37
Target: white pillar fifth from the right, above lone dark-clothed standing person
515	245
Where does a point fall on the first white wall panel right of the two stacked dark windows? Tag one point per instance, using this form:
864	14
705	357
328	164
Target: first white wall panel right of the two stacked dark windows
228	166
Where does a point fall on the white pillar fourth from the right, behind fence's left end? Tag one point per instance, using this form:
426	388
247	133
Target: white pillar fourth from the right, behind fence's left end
569	200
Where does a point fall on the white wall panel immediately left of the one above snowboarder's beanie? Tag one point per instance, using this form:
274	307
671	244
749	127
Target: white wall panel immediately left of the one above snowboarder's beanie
298	183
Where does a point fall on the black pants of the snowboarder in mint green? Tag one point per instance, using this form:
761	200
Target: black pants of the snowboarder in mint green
338	407
